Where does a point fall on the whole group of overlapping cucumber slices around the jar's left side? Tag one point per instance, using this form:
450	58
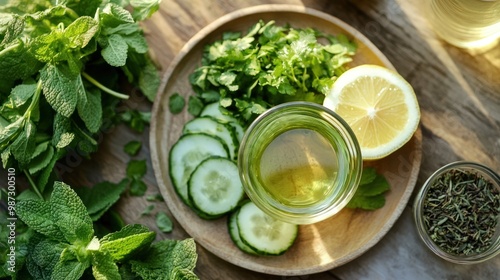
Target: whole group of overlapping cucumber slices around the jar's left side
205	175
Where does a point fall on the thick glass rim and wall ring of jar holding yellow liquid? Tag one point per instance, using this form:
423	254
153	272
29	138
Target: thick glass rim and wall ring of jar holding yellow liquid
270	120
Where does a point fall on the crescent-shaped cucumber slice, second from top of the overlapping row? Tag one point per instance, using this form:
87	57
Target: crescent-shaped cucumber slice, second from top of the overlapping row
211	126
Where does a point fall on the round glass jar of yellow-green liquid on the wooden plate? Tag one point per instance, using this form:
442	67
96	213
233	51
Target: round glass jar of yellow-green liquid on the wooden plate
300	162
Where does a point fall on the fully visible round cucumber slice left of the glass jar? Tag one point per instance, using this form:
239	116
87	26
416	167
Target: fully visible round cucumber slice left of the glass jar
215	187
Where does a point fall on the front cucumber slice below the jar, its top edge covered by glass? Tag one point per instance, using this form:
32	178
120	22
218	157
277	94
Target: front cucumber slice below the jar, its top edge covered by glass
263	233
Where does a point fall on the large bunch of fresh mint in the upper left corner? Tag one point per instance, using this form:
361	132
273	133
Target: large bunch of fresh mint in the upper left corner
60	67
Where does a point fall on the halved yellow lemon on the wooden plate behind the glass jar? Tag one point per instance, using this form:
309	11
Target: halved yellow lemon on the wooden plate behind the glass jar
379	105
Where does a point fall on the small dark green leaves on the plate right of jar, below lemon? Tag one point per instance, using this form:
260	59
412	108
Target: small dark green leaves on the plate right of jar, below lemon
370	192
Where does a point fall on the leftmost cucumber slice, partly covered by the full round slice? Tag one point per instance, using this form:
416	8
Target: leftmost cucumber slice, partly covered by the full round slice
186	154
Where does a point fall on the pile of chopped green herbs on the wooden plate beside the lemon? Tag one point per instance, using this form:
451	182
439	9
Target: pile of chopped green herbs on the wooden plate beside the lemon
269	65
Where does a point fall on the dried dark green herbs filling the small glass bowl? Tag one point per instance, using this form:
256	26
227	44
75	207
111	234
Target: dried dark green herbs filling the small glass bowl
461	211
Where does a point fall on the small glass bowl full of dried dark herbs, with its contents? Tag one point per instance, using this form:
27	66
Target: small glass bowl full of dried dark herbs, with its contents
453	212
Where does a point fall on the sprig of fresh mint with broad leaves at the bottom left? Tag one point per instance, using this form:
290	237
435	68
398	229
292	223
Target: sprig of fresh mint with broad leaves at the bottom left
60	243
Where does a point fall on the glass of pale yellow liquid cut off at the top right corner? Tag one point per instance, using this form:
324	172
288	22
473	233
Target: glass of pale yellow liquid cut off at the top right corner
473	24
